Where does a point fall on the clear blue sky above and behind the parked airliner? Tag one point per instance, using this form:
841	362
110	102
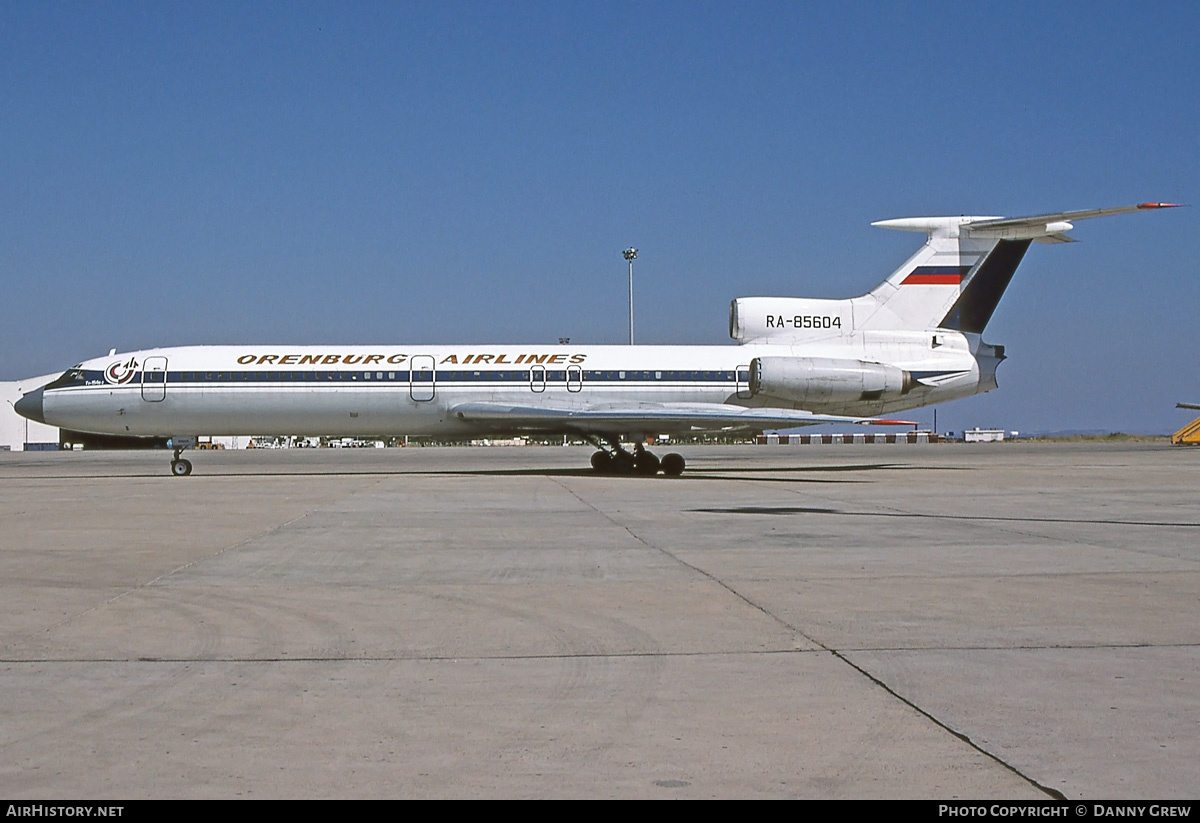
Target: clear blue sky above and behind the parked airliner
470	172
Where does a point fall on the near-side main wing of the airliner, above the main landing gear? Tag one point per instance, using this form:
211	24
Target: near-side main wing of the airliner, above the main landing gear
649	418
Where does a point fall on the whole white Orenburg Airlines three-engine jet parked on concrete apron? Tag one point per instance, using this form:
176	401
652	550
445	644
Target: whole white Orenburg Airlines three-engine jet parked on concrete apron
913	341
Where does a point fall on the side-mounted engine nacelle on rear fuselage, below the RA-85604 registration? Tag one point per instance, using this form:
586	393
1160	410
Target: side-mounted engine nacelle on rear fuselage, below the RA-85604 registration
821	381
